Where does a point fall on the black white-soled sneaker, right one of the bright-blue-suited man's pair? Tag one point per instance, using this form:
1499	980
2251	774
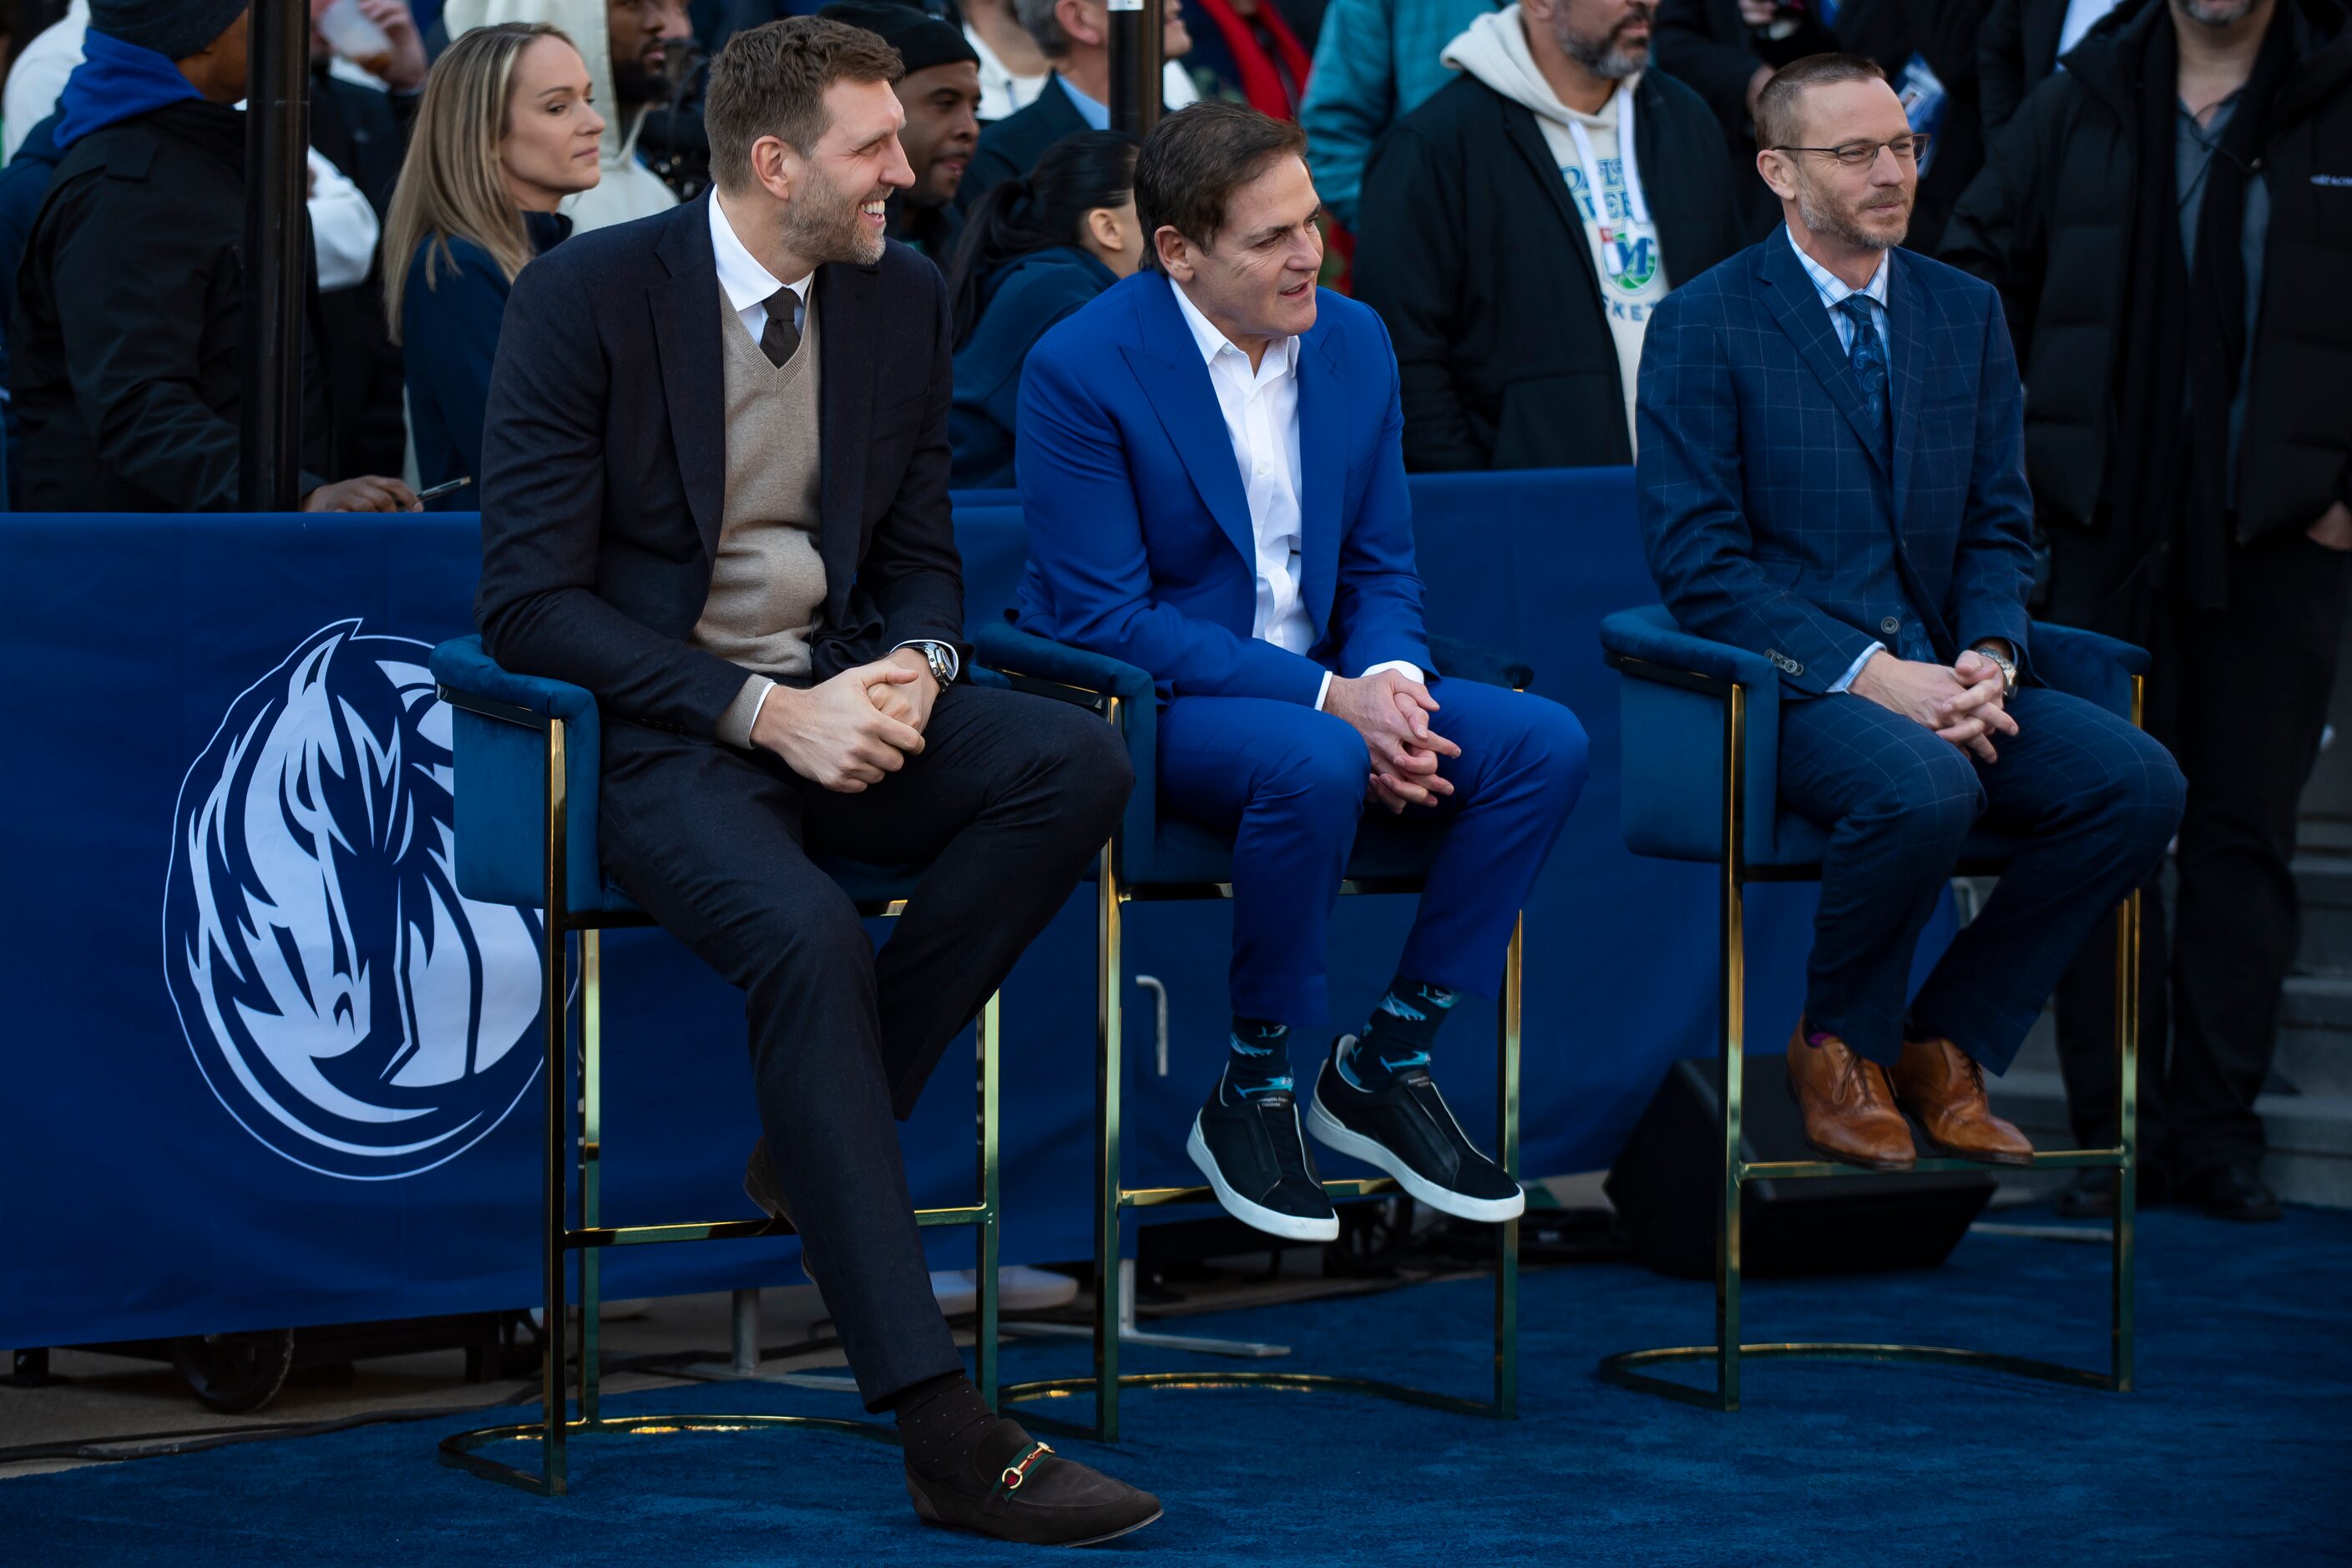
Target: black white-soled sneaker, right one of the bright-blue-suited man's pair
1408	1132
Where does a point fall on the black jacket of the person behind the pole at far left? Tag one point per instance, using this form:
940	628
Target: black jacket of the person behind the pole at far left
128	344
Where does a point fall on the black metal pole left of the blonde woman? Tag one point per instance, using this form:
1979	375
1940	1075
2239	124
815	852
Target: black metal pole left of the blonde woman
276	253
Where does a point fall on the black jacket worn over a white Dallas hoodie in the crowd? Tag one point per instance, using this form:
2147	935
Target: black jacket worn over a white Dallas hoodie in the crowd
1478	262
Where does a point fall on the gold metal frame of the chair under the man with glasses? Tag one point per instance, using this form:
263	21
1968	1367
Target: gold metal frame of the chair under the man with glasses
1626	1369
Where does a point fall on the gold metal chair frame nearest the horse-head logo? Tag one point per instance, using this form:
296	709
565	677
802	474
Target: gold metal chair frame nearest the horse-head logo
559	1240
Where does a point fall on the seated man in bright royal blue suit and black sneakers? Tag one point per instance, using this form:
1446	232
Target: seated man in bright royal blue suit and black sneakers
1215	488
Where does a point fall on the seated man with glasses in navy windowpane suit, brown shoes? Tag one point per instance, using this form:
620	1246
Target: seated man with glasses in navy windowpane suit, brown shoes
1831	474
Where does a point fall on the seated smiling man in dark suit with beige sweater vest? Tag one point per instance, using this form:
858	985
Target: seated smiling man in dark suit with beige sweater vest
716	495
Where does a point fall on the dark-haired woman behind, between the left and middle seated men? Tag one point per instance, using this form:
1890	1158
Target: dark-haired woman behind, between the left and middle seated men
1034	253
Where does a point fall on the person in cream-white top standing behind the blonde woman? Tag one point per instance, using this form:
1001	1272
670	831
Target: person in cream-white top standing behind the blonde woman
624	48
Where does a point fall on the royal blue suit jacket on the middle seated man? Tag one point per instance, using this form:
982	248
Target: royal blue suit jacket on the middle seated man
1140	528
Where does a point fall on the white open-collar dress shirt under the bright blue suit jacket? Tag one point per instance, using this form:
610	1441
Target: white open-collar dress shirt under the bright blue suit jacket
1262	422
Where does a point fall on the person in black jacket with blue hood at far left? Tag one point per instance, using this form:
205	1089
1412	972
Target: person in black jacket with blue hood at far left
131	309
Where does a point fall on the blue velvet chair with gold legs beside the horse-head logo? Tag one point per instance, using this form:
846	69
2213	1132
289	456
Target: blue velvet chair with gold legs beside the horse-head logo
528	756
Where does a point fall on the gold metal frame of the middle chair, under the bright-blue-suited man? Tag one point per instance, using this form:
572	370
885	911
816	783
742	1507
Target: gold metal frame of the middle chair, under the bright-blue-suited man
1114	1200
